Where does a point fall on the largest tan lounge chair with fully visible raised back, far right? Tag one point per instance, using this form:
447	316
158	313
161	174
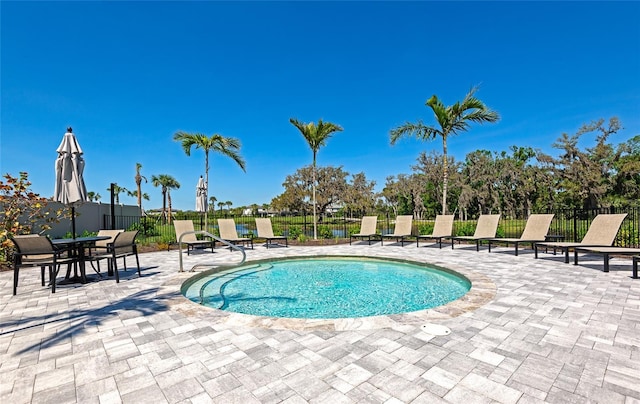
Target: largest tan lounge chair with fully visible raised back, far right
602	233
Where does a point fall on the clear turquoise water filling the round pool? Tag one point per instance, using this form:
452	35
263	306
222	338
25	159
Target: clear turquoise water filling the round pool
327	288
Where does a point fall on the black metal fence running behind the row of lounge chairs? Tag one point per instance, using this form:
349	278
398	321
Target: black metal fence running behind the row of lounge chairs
569	225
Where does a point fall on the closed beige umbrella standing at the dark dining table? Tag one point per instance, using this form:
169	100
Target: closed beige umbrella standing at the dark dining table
70	189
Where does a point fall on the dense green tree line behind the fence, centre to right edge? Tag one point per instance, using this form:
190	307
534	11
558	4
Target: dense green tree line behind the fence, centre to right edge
519	180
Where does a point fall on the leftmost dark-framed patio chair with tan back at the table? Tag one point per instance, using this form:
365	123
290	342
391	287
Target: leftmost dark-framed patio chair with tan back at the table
33	250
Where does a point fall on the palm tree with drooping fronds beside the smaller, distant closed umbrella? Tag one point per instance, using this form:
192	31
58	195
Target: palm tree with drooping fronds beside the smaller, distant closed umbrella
227	146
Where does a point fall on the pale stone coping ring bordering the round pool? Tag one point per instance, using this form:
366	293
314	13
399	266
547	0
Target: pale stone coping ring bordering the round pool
482	291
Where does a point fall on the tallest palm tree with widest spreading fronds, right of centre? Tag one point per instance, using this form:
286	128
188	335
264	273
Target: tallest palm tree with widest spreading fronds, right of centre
451	120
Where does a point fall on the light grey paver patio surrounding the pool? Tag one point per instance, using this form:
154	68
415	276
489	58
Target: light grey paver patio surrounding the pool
533	331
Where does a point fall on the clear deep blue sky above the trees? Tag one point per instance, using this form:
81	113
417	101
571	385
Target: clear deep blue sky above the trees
127	75
